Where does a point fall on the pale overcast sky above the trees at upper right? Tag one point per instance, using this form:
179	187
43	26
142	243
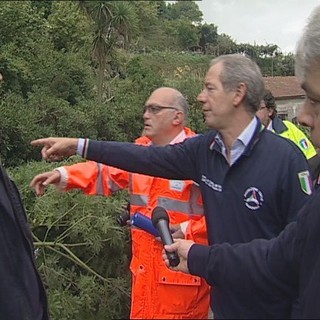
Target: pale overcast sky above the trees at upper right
259	21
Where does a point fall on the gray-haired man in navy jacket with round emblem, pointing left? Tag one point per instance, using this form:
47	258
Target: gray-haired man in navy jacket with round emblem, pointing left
253	182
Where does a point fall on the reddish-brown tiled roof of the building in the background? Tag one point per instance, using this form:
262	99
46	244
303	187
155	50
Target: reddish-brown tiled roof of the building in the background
284	87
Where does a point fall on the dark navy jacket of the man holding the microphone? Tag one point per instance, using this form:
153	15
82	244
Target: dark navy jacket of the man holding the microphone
281	267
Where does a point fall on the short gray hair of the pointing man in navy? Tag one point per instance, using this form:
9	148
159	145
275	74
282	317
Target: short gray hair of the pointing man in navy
238	69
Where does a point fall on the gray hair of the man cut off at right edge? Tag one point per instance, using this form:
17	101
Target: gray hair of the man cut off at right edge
308	46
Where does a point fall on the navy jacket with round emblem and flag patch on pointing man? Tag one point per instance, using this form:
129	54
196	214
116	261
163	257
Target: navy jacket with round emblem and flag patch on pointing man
254	198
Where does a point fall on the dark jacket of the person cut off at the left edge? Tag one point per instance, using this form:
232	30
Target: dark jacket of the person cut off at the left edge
22	295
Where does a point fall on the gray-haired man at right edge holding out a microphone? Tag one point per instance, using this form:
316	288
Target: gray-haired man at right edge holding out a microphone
289	264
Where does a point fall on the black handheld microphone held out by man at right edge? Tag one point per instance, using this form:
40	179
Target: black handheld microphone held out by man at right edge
160	220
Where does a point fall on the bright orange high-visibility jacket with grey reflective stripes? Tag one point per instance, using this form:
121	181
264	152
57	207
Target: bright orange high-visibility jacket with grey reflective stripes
157	292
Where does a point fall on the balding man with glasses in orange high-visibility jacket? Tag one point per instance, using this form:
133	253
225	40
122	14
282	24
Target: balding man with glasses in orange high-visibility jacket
157	292
